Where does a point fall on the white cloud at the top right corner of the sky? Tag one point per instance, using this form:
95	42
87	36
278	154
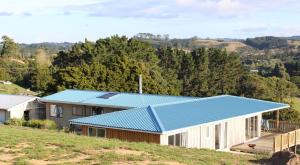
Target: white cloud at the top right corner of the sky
234	8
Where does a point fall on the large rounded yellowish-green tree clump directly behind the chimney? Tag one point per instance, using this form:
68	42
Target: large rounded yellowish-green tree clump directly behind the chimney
111	64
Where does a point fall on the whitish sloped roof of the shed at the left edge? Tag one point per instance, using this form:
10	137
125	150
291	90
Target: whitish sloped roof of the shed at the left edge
8	101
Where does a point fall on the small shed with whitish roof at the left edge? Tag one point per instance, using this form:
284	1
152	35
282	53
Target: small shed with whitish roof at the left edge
18	106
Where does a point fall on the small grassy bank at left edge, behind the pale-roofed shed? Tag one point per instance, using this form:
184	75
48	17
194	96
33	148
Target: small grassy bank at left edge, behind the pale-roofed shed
14	89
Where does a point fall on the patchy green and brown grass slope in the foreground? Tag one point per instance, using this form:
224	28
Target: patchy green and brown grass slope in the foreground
20	145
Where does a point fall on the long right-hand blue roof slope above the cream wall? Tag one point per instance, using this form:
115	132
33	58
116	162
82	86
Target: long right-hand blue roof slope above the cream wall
175	116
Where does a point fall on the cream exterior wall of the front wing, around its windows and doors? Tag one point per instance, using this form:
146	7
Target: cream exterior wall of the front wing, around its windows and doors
197	136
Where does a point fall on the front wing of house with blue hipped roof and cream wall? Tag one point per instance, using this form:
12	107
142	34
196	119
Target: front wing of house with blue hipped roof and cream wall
218	122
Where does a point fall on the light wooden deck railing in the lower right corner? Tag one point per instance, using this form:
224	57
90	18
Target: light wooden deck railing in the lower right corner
286	140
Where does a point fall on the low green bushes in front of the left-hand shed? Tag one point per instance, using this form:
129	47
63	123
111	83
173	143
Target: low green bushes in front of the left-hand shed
41	124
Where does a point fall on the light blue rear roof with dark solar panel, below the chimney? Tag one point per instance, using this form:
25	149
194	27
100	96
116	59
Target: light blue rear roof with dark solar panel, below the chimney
130	100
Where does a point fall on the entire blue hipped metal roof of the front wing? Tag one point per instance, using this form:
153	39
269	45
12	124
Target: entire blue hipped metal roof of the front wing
171	116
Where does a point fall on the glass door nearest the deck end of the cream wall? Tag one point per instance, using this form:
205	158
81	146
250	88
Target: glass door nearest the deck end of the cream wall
251	127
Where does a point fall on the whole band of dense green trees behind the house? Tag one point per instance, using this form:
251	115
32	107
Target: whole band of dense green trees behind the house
115	63
